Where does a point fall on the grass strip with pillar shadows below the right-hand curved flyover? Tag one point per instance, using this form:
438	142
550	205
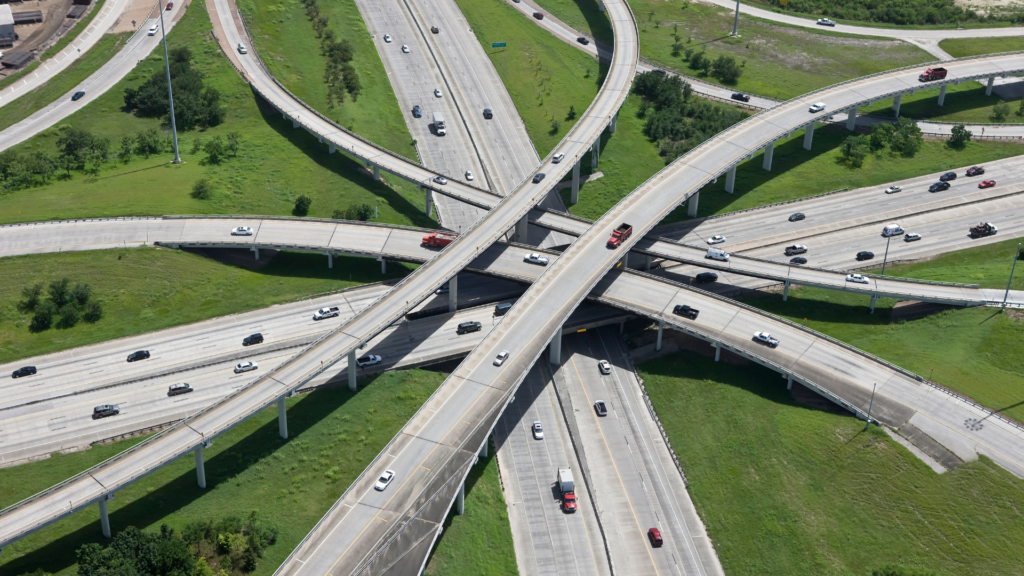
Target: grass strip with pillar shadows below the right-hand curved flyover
797	173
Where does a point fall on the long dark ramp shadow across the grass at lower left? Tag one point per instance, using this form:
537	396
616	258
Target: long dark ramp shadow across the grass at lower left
182	491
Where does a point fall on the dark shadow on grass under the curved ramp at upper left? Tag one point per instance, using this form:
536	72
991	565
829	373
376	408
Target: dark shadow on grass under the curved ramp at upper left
343	164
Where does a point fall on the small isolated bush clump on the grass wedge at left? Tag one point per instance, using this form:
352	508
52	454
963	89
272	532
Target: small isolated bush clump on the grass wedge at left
71	304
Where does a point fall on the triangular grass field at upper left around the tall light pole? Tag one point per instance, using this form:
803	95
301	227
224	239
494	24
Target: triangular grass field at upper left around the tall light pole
275	166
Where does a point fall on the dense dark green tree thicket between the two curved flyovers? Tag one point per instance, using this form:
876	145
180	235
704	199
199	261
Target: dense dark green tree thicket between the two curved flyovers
674	118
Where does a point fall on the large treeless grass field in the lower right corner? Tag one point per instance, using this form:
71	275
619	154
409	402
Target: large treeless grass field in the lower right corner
785	489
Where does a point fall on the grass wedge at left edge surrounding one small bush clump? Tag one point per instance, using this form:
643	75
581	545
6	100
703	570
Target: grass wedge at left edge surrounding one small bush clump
148	290
